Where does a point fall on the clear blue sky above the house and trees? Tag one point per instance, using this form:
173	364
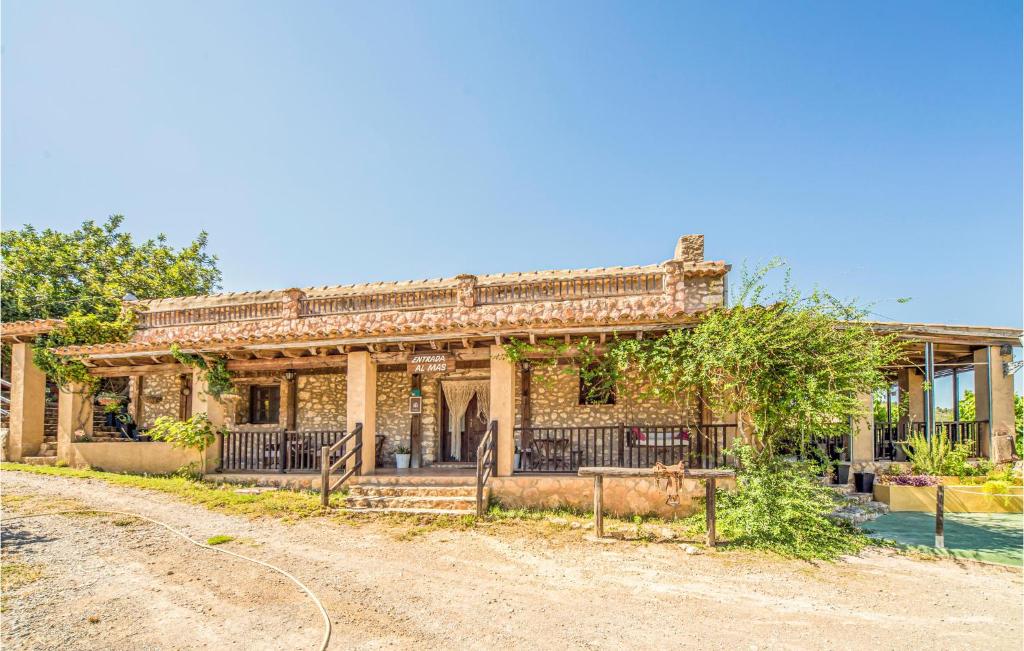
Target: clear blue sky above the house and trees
875	146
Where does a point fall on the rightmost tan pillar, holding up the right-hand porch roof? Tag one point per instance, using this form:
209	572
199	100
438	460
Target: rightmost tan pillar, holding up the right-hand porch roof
994	397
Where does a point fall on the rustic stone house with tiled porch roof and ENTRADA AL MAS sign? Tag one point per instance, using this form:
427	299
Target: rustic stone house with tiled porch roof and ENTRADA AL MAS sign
420	367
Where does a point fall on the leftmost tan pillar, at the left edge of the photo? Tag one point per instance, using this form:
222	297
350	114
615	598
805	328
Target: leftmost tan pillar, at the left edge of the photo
28	403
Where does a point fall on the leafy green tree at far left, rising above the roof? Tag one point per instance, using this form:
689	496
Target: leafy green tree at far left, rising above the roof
81	278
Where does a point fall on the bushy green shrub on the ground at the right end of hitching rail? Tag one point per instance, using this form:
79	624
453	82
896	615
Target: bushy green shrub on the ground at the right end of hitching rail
782	507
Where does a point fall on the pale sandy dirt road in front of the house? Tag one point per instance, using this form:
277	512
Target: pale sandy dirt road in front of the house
107	583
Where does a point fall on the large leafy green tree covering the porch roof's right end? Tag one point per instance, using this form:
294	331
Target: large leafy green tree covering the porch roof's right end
791	362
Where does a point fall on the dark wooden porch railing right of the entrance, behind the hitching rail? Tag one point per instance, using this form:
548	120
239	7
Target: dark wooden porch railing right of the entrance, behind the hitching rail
566	450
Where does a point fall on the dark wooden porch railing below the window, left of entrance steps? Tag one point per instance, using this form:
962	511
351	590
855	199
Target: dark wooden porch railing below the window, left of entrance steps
274	451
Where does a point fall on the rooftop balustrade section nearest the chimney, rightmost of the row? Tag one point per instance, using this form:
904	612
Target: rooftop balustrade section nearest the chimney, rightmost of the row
569	289
